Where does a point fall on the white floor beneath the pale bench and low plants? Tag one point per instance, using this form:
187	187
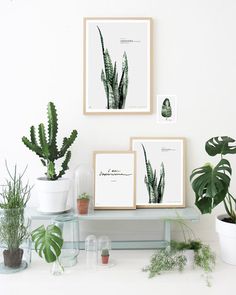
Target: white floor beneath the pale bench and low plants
125	277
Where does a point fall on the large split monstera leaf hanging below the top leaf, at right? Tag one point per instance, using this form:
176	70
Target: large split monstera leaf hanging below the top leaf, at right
211	184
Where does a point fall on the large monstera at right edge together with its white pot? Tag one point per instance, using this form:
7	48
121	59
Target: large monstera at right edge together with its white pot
211	186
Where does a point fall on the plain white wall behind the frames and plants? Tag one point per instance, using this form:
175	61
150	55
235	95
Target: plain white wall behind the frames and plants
41	59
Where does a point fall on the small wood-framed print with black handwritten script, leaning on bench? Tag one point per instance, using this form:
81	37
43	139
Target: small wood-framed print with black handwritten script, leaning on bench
114	174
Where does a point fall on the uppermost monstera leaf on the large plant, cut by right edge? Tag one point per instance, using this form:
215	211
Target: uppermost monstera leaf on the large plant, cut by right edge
220	145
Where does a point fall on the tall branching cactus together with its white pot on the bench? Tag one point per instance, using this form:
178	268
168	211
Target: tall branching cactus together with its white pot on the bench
52	189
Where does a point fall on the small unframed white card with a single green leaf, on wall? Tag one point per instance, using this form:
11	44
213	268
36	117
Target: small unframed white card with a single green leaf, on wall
166	108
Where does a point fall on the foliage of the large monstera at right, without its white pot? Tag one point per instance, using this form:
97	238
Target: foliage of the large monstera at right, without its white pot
211	183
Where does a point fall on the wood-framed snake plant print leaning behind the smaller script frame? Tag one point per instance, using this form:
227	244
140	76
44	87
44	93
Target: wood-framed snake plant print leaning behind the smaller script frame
159	172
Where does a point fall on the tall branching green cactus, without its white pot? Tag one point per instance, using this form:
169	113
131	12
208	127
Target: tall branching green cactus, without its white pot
47	148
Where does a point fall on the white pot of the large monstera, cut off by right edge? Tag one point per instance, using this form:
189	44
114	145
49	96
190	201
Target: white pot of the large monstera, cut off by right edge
227	238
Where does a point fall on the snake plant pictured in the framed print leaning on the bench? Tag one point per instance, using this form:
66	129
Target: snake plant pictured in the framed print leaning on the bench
155	190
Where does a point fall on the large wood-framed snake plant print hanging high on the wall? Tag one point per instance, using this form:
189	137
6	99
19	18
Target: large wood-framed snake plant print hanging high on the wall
117	65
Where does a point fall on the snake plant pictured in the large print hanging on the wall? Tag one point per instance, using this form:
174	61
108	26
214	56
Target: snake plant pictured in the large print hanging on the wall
116	92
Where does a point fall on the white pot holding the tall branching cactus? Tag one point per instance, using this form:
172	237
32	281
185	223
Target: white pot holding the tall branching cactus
52	194
